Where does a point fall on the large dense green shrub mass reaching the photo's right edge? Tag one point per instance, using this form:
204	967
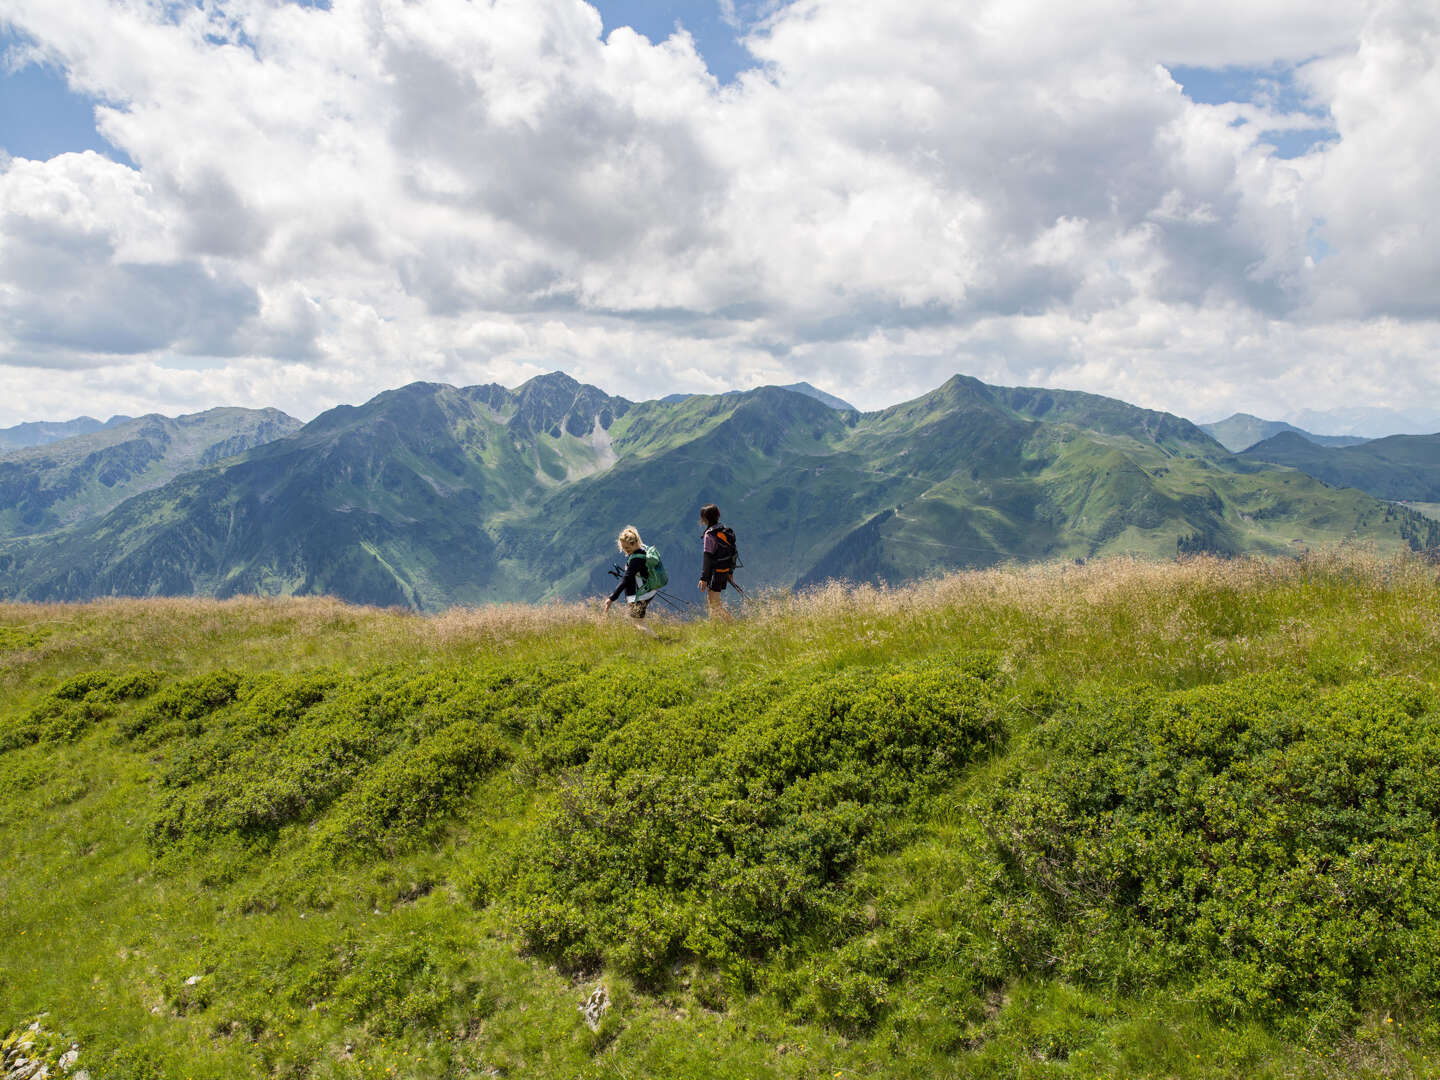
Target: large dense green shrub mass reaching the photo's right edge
1266	842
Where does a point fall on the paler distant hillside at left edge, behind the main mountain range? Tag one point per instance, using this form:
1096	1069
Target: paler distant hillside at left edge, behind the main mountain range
83	477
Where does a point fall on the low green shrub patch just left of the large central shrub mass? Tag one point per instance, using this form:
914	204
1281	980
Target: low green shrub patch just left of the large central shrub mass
404	745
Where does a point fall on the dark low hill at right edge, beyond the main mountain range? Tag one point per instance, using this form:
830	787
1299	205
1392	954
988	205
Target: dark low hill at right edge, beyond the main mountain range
1400	467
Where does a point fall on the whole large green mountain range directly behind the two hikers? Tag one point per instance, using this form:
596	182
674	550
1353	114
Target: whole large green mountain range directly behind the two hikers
431	496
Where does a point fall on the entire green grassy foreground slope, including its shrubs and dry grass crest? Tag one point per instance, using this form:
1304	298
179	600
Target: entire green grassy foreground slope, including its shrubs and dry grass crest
1120	819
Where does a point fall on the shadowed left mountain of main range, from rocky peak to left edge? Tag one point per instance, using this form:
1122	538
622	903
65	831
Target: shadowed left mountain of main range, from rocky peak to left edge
398	502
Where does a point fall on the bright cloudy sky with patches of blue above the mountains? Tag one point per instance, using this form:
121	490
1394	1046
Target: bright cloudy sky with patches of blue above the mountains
1196	207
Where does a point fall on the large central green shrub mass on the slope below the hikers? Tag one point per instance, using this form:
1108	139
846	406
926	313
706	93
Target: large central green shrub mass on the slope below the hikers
726	834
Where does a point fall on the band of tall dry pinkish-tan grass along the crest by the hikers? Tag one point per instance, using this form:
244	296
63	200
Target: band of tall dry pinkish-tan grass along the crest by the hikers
1340	610
